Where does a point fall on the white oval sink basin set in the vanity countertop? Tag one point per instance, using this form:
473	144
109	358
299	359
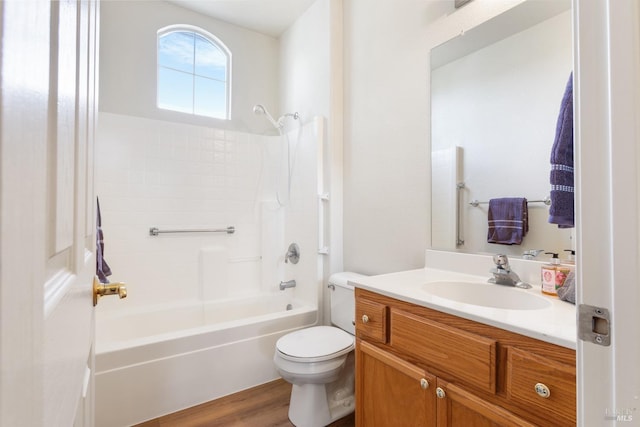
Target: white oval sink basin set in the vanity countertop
487	295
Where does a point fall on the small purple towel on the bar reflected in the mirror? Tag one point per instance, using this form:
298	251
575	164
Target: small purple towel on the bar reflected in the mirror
508	220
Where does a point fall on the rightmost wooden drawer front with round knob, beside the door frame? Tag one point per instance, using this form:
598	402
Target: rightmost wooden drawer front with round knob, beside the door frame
527	372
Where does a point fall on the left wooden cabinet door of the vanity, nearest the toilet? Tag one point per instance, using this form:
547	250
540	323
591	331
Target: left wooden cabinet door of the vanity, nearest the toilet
391	391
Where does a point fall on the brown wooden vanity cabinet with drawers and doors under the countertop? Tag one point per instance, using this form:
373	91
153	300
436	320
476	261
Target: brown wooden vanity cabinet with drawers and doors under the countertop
418	366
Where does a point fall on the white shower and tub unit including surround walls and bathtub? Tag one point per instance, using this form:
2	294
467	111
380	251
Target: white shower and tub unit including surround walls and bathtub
166	347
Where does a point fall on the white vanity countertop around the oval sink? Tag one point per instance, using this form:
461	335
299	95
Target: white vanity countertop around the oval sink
555	324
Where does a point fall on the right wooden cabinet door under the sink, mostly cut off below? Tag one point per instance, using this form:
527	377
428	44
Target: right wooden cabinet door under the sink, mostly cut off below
457	407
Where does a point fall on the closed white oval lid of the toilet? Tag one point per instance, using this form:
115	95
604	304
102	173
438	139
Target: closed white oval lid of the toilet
315	342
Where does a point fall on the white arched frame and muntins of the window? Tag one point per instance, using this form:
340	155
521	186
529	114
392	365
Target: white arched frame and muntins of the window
197	31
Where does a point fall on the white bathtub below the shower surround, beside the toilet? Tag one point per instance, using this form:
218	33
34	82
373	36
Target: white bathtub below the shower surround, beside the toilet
154	361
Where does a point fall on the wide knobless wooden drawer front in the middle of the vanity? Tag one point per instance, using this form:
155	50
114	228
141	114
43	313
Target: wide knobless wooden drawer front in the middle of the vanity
458	354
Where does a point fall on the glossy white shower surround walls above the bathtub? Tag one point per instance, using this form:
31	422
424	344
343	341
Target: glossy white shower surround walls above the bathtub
153	173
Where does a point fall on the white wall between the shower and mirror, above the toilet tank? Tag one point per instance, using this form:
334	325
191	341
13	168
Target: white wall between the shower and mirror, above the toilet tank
387	153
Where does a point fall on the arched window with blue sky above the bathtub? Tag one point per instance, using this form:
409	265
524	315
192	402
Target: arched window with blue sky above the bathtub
193	72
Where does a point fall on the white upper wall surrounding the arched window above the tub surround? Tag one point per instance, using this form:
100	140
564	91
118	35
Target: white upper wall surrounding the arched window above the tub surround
128	63
